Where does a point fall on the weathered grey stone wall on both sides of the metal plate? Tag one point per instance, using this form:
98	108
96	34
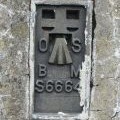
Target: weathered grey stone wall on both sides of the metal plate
14	60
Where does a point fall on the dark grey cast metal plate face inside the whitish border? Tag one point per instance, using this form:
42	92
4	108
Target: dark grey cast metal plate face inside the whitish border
59	53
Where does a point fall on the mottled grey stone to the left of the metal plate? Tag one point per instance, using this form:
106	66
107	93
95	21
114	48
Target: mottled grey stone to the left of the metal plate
14	49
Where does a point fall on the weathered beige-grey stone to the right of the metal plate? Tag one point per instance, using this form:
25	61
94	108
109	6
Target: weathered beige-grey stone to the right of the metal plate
105	95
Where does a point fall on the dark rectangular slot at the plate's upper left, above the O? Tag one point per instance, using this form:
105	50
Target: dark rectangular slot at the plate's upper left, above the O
48	14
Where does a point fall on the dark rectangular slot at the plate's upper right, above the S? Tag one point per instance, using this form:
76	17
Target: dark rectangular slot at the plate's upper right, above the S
72	14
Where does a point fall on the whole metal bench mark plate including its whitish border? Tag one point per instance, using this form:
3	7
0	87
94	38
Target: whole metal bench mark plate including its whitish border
60	59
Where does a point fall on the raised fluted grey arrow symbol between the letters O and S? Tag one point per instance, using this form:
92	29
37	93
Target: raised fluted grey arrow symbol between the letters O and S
60	54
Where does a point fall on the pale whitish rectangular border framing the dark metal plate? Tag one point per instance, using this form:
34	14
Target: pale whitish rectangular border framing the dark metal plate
86	66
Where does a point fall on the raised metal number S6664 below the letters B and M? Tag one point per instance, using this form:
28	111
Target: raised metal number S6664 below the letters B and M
57	86
